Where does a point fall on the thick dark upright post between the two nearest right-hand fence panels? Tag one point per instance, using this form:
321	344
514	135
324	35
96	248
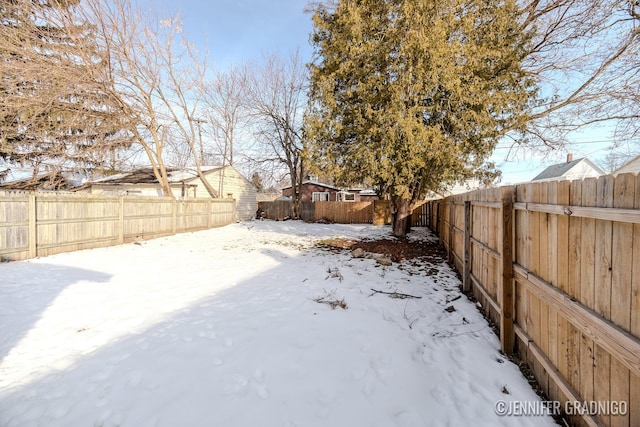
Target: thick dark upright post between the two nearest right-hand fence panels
507	333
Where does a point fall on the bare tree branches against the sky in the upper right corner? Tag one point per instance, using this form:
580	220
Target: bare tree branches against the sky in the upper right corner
584	58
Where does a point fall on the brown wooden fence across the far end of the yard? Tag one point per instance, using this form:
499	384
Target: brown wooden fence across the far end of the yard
376	212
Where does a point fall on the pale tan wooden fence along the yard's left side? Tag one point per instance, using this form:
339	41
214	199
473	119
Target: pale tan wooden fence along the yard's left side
41	224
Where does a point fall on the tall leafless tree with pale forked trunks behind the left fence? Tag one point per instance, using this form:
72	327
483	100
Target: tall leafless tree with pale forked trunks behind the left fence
156	79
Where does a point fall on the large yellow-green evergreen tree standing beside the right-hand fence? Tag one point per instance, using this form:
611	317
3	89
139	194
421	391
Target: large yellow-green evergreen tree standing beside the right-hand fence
414	94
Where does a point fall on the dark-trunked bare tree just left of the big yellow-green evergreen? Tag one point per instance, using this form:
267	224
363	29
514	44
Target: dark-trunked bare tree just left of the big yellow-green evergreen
277	102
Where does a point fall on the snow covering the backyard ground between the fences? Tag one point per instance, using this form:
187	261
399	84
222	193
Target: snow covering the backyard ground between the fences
220	328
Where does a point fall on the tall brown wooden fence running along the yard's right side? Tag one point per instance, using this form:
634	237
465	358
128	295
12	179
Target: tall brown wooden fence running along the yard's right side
556	265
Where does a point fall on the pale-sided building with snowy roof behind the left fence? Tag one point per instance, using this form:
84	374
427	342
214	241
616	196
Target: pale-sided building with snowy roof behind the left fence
185	184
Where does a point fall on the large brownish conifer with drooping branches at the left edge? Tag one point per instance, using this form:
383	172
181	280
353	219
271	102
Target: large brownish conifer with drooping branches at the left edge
53	115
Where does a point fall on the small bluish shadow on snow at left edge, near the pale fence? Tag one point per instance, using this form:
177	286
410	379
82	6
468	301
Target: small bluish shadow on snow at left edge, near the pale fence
27	289
